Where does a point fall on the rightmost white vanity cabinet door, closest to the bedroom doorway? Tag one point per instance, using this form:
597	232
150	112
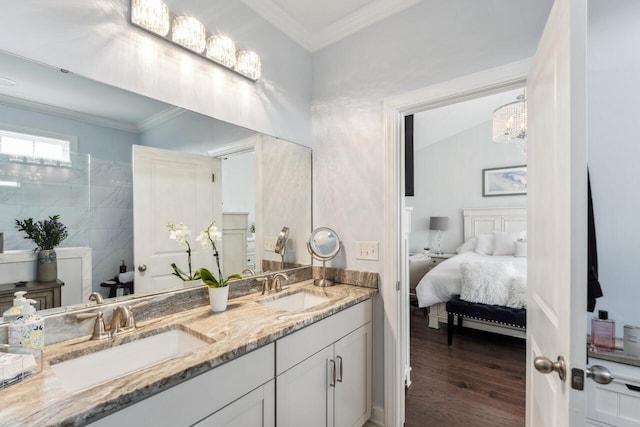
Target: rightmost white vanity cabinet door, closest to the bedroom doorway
352	399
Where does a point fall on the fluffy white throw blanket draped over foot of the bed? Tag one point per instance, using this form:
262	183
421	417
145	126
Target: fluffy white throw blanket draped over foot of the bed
486	282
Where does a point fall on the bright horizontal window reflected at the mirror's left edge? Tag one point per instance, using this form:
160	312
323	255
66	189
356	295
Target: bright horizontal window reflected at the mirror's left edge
34	147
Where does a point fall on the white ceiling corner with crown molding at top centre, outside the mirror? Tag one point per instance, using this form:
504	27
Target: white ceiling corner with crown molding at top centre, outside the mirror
315	24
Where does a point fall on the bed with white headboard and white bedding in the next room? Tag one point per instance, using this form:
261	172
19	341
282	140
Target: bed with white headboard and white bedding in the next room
444	281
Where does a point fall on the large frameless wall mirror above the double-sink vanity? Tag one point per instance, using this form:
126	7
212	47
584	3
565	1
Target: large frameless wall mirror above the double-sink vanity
266	182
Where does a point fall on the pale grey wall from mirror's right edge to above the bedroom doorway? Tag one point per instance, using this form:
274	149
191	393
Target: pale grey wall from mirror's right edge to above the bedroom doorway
429	43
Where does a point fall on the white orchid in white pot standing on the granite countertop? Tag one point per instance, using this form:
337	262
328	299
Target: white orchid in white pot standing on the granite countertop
218	286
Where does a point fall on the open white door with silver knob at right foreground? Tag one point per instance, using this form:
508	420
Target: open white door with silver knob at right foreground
557	209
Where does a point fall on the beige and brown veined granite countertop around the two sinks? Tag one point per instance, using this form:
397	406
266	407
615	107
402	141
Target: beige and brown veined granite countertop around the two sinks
243	327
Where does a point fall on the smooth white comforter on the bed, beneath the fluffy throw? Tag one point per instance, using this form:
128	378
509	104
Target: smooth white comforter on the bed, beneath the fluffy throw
445	279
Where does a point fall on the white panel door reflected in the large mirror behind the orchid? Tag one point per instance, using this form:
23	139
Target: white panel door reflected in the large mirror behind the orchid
176	187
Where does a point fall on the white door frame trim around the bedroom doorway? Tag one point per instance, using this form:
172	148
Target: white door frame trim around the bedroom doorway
490	82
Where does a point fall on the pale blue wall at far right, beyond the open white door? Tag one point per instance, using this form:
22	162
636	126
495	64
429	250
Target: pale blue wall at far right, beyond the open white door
614	151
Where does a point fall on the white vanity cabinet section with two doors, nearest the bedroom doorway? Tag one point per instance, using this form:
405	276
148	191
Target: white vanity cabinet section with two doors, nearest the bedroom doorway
324	372
